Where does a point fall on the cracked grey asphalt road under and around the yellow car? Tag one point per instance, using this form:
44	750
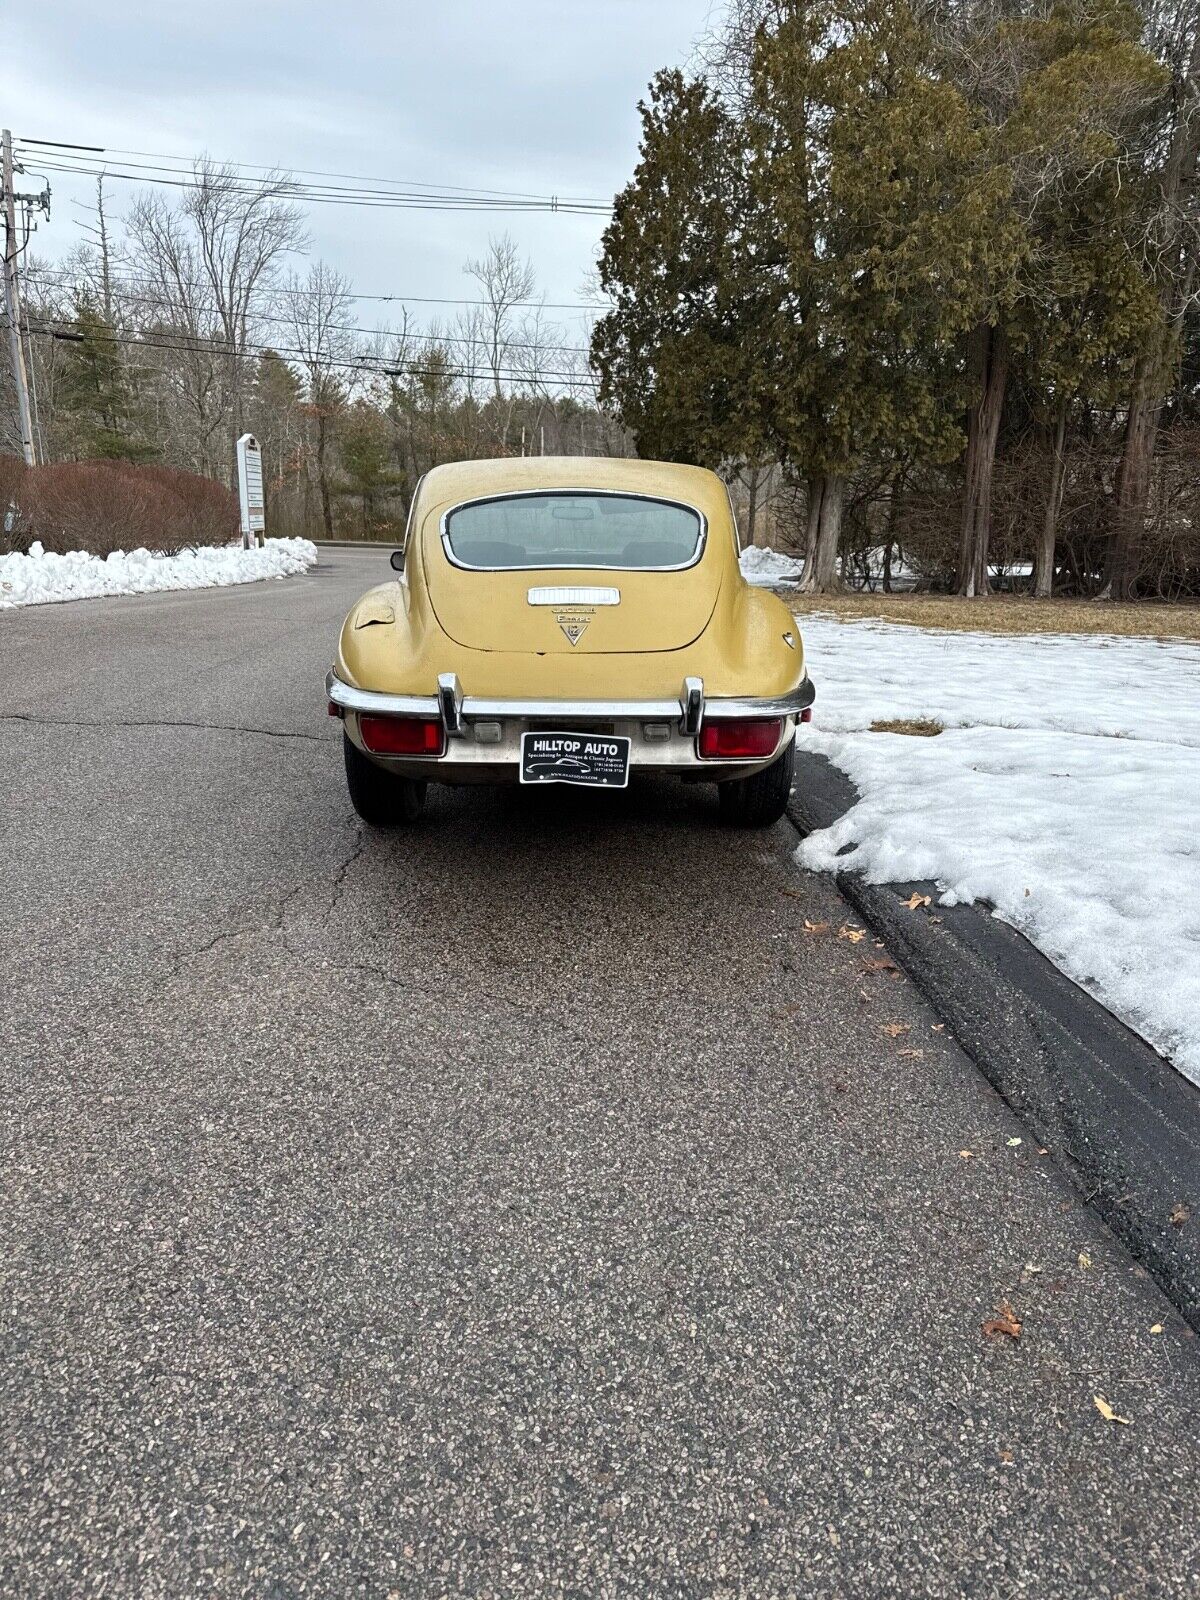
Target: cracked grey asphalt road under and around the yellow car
519	1206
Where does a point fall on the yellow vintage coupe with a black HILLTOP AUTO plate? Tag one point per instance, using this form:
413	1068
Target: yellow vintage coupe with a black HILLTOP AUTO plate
569	620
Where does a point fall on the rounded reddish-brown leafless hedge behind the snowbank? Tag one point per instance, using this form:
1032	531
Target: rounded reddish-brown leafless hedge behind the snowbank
105	506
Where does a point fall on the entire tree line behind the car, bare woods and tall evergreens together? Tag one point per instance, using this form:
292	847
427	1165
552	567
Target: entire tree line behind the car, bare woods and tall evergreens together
918	279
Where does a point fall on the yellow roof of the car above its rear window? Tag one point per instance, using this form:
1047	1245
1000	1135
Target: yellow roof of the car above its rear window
465	481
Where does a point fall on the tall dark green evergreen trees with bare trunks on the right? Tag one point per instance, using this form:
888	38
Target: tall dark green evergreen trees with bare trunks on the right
927	271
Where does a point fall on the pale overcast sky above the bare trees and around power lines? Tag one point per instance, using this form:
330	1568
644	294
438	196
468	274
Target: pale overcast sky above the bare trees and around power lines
530	95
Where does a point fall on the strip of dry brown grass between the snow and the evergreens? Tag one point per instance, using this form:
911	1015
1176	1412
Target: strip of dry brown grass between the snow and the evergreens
1010	614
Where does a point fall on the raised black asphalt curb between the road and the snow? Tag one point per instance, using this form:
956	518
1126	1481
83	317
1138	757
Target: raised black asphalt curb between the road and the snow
1119	1118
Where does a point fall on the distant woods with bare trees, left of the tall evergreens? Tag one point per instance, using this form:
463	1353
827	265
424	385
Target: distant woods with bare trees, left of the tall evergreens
170	334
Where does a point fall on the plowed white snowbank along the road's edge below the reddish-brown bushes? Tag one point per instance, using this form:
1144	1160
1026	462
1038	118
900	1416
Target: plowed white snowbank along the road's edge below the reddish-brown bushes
41	577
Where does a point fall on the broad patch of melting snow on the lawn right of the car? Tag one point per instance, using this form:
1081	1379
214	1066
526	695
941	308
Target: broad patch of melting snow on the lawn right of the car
1065	790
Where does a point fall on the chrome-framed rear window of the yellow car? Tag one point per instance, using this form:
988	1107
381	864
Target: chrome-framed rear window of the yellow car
574	529
